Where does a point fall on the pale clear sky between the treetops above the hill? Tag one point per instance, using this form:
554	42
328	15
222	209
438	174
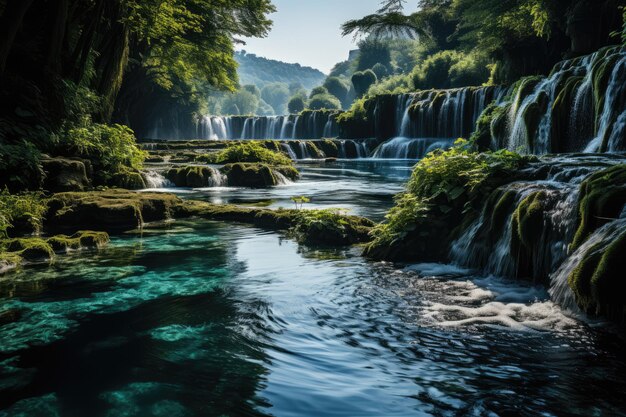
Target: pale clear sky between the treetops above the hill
308	31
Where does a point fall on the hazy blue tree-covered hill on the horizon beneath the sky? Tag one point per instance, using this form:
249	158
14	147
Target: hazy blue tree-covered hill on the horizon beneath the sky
261	71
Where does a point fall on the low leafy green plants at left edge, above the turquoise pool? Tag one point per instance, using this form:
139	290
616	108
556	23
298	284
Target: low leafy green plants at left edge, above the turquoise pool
27	206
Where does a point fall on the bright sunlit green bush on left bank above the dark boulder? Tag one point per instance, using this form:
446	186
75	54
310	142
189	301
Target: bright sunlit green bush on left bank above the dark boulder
112	148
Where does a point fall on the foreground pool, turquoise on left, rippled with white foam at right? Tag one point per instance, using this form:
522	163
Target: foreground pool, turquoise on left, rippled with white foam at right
215	319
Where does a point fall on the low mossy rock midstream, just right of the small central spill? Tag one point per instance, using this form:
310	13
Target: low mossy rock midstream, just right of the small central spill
252	175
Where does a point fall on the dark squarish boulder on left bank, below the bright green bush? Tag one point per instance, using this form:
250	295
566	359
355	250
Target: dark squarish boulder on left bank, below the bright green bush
62	174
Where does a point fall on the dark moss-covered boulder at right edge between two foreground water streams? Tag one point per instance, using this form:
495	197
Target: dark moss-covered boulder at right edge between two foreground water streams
602	198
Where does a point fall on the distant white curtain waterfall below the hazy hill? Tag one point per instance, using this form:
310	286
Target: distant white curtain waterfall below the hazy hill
307	125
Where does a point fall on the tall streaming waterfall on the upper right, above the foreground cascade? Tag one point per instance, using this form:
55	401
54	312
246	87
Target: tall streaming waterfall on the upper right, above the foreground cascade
580	107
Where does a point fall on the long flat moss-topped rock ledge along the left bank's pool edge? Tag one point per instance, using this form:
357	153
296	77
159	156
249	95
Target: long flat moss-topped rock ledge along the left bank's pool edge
108	211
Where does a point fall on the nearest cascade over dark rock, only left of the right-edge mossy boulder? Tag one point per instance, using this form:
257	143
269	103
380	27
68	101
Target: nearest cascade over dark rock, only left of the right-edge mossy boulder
487	244
